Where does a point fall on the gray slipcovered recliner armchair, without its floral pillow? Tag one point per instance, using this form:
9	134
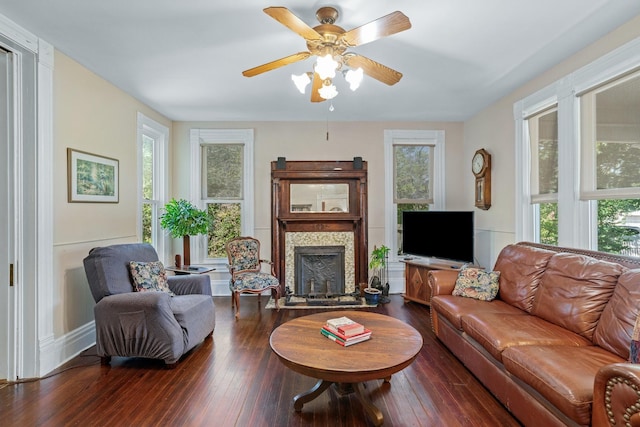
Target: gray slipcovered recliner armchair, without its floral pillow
145	324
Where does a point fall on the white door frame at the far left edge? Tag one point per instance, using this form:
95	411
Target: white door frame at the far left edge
30	306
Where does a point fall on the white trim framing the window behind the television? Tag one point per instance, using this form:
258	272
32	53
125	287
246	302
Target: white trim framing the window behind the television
392	137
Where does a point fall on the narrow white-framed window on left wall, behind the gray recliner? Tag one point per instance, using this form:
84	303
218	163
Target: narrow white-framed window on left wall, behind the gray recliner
152	148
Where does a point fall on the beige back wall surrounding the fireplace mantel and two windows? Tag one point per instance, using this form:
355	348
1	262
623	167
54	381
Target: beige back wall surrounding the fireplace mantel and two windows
308	141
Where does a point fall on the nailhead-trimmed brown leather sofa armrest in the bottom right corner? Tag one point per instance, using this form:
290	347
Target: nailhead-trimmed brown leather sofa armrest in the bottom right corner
616	395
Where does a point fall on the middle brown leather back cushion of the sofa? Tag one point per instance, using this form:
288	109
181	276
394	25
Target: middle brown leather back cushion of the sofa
574	290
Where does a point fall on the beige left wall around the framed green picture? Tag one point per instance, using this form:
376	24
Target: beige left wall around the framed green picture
91	115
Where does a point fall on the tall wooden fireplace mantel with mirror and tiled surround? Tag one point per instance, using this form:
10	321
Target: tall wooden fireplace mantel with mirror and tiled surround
319	204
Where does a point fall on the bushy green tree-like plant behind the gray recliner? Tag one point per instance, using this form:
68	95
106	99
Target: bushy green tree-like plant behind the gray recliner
183	219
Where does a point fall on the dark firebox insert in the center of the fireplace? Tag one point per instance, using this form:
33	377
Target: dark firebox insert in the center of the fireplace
319	270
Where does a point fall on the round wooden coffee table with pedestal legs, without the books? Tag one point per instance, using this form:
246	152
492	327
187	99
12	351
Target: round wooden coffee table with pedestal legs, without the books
301	347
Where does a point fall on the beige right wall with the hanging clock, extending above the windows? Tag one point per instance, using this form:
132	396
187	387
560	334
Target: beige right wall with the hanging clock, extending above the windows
494	129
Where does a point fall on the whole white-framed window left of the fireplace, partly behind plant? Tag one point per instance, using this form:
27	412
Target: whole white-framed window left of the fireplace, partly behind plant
222	182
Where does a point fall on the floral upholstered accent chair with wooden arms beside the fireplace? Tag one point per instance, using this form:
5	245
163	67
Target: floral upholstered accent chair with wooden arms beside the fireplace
247	276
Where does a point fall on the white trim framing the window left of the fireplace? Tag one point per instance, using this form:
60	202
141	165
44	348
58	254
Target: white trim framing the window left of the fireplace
197	138
